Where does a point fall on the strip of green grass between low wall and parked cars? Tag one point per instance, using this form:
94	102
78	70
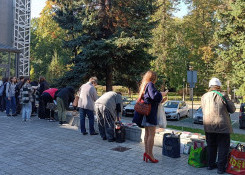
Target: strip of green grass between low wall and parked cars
236	137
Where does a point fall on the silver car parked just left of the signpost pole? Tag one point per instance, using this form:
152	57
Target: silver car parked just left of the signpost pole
176	109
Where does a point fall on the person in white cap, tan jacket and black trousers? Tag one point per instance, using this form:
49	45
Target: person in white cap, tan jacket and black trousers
216	107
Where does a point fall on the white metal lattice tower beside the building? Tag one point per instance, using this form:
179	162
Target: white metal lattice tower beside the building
22	34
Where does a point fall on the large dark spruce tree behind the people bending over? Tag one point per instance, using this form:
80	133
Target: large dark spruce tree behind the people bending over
112	41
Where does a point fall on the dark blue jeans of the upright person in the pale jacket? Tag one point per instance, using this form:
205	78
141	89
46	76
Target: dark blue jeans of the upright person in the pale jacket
90	114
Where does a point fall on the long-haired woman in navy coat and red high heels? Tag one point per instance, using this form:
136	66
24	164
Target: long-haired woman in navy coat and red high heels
148	94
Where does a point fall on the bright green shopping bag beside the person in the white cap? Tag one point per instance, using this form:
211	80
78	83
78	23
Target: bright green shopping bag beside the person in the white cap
198	157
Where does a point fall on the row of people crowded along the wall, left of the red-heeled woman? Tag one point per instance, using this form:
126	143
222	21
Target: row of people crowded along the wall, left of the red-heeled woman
23	96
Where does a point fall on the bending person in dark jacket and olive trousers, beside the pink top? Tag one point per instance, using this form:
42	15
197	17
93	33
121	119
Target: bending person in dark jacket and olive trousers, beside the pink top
64	97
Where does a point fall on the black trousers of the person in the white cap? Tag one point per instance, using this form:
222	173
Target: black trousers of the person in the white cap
218	142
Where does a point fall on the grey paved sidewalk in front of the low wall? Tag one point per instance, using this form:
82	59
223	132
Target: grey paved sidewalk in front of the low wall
41	147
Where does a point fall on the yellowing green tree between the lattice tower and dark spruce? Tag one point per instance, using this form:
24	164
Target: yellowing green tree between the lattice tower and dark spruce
46	41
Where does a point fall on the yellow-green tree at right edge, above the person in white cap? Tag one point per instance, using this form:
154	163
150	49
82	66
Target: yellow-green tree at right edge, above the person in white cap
230	42
